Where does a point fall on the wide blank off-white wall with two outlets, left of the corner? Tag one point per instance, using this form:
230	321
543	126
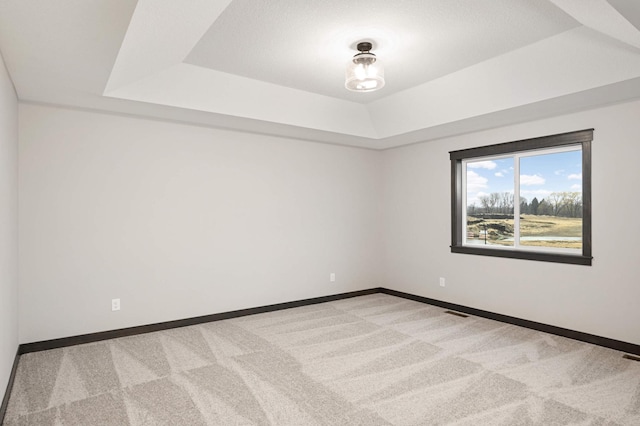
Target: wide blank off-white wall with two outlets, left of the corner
180	221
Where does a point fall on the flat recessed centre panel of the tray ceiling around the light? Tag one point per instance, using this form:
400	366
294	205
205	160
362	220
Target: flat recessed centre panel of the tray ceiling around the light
307	44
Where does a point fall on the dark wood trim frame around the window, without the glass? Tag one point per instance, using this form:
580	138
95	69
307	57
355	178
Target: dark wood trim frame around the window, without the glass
581	137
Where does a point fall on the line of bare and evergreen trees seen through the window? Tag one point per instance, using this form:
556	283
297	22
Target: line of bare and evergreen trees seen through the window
564	204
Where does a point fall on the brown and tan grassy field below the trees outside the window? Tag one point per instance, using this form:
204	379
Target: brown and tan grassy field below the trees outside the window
535	230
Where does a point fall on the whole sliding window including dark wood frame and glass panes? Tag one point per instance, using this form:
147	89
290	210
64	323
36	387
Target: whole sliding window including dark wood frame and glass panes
529	199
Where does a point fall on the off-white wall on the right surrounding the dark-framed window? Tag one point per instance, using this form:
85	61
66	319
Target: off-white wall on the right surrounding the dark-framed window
601	299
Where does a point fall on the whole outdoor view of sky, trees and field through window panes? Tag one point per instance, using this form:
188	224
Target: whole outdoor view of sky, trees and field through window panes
542	187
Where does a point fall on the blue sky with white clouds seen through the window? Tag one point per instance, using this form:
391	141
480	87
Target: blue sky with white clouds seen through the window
540	175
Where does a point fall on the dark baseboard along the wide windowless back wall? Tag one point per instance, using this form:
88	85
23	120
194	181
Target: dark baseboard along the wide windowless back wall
131	331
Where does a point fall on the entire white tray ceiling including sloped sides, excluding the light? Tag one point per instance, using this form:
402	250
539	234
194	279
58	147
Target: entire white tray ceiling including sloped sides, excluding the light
277	67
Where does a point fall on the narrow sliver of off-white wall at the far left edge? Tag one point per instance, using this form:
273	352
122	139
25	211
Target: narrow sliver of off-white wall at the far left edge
8	226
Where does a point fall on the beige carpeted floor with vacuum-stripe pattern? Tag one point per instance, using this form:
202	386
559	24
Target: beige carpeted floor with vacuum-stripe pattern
370	360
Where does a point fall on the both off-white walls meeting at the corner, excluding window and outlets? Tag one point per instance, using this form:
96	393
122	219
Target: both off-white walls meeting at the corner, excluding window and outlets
180	221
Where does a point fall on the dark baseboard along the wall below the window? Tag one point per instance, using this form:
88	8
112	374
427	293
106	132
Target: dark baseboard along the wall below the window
559	331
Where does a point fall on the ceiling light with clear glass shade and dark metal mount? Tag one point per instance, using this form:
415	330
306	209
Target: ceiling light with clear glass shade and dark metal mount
364	73
